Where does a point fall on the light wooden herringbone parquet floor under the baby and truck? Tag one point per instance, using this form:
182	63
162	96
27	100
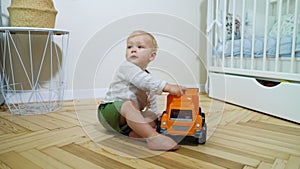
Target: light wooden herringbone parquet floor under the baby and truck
72	138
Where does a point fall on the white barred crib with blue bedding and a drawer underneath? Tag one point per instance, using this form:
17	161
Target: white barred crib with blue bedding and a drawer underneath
254	55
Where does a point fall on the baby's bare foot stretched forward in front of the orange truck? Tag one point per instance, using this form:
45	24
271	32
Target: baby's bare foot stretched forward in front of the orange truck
161	142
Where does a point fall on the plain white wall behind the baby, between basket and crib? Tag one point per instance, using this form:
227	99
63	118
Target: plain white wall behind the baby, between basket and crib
98	30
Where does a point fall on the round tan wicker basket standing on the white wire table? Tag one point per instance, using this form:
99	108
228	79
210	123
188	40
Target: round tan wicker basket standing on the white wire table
32	13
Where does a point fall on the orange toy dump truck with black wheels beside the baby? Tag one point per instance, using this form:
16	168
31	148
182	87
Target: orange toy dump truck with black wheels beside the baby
183	117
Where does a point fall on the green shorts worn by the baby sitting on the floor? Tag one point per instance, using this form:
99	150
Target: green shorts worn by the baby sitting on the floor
109	117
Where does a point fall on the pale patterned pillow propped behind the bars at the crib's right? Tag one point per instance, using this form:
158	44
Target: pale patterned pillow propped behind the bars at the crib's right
286	26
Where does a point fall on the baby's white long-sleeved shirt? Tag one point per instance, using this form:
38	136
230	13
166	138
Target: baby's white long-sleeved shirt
133	83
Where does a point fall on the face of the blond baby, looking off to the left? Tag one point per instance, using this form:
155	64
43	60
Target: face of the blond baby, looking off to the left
140	50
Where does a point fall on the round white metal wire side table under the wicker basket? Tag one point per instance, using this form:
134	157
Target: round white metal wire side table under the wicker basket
32	69
